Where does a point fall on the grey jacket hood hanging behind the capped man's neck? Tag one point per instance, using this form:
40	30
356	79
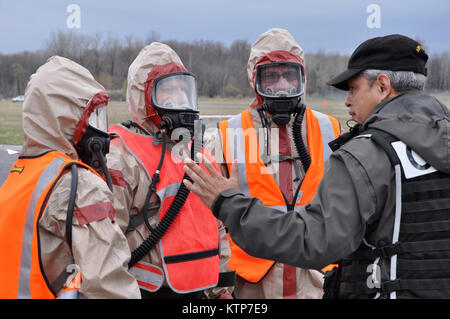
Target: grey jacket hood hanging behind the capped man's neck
420	121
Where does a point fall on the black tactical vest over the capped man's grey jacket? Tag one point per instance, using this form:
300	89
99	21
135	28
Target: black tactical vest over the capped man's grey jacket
416	264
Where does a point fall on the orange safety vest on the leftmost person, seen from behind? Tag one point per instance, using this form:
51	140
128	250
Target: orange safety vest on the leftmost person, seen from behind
23	197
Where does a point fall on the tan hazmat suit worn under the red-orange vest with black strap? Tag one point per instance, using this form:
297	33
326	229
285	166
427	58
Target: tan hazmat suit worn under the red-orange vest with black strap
130	181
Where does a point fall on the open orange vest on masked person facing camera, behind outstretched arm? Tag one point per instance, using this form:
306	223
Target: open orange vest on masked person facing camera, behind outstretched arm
239	141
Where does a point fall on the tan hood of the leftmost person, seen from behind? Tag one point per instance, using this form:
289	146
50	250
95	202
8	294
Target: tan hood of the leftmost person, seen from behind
55	98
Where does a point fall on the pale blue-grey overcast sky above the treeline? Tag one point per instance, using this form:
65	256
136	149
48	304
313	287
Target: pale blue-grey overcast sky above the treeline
327	25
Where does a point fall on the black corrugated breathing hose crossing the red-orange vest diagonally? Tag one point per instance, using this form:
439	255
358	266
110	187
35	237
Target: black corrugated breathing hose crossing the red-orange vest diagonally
175	207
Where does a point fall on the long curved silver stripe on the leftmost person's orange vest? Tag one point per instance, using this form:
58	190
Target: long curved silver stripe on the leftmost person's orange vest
46	177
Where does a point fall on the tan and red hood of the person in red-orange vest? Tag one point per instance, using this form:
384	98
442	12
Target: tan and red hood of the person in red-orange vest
153	61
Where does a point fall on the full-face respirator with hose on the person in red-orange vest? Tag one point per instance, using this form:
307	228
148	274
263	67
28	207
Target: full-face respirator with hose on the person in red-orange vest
174	97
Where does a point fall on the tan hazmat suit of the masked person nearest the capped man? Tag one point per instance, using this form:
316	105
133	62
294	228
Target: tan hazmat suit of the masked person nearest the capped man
282	281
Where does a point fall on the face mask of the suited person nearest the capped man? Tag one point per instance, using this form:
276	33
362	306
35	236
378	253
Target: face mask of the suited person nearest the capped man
280	84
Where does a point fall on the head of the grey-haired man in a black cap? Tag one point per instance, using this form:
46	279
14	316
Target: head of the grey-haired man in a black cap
396	62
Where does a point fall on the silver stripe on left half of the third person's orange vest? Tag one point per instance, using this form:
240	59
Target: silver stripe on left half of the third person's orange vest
237	150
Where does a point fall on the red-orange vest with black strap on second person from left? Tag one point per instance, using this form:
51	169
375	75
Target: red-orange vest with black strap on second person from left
190	247
